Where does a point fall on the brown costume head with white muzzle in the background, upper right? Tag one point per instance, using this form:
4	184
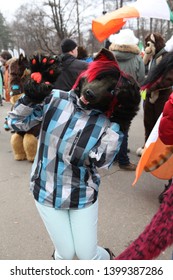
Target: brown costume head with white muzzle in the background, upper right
154	43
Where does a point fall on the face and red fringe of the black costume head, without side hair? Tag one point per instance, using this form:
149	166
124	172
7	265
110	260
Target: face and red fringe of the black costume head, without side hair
96	86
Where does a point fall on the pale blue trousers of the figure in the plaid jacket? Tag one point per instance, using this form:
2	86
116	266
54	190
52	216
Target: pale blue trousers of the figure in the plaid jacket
73	232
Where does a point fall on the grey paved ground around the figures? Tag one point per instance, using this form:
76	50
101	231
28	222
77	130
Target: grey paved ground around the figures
123	210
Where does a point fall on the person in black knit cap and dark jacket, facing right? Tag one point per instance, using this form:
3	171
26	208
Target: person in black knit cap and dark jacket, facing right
71	67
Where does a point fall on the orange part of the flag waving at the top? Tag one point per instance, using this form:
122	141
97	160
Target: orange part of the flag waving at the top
112	22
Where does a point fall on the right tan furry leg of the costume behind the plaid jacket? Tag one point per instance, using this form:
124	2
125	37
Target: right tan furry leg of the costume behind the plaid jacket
30	146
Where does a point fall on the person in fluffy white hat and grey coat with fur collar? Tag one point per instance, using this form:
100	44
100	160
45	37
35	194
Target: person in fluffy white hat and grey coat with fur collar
124	47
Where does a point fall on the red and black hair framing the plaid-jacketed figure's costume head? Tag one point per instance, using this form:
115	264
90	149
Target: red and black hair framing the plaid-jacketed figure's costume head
125	103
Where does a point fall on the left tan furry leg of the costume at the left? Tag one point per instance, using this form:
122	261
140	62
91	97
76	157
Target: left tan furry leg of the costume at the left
17	147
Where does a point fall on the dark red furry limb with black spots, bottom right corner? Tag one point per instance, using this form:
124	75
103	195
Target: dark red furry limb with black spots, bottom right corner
156	237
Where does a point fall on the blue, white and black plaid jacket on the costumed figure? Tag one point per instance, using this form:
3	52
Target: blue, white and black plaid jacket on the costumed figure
72	143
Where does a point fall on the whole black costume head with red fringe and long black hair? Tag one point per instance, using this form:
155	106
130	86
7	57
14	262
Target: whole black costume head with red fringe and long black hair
104	86
